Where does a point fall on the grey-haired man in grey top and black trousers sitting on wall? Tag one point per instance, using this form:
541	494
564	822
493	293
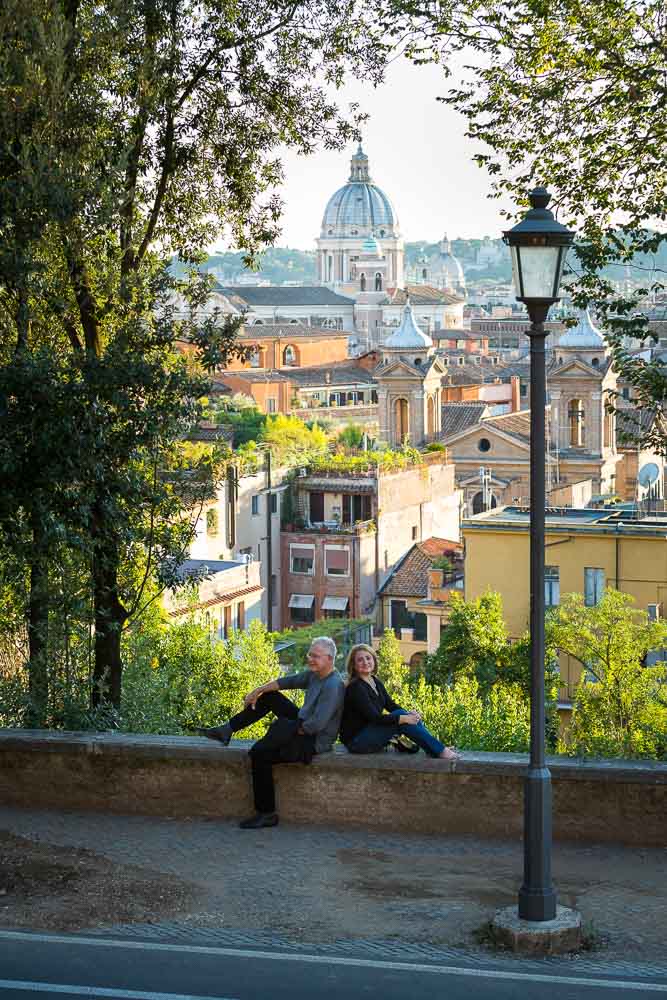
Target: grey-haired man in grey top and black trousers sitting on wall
297	734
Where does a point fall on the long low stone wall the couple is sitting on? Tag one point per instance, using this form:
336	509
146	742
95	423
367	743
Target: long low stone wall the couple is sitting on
481	795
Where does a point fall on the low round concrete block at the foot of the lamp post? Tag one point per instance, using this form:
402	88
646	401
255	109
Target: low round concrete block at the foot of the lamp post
538	937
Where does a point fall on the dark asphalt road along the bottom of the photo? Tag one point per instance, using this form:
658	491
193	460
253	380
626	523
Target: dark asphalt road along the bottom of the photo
69	967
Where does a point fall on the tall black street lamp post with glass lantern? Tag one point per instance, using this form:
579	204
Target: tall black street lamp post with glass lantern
538	245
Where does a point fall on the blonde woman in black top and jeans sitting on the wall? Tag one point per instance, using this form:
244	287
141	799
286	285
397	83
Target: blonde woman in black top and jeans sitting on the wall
371	719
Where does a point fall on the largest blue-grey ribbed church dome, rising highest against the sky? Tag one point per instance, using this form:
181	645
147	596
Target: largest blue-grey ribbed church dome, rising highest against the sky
360	205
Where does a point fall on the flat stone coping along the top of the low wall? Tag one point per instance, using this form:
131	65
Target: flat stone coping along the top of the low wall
144	746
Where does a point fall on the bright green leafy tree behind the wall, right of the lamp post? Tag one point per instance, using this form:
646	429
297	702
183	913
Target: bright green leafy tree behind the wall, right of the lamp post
620	707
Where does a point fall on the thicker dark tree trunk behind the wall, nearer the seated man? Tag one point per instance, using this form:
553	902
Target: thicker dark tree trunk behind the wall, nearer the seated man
110	616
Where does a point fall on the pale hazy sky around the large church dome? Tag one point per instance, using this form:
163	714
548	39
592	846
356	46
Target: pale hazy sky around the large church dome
418	155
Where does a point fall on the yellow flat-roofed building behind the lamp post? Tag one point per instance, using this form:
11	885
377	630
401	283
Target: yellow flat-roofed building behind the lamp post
586	551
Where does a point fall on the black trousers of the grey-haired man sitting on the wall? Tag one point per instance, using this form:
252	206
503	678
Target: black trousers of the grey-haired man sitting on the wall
281	745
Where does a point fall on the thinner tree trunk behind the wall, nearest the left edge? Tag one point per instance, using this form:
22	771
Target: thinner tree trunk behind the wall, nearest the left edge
38	630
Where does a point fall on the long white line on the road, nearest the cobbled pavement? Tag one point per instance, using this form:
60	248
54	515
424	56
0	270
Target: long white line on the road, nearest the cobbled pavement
363	963
